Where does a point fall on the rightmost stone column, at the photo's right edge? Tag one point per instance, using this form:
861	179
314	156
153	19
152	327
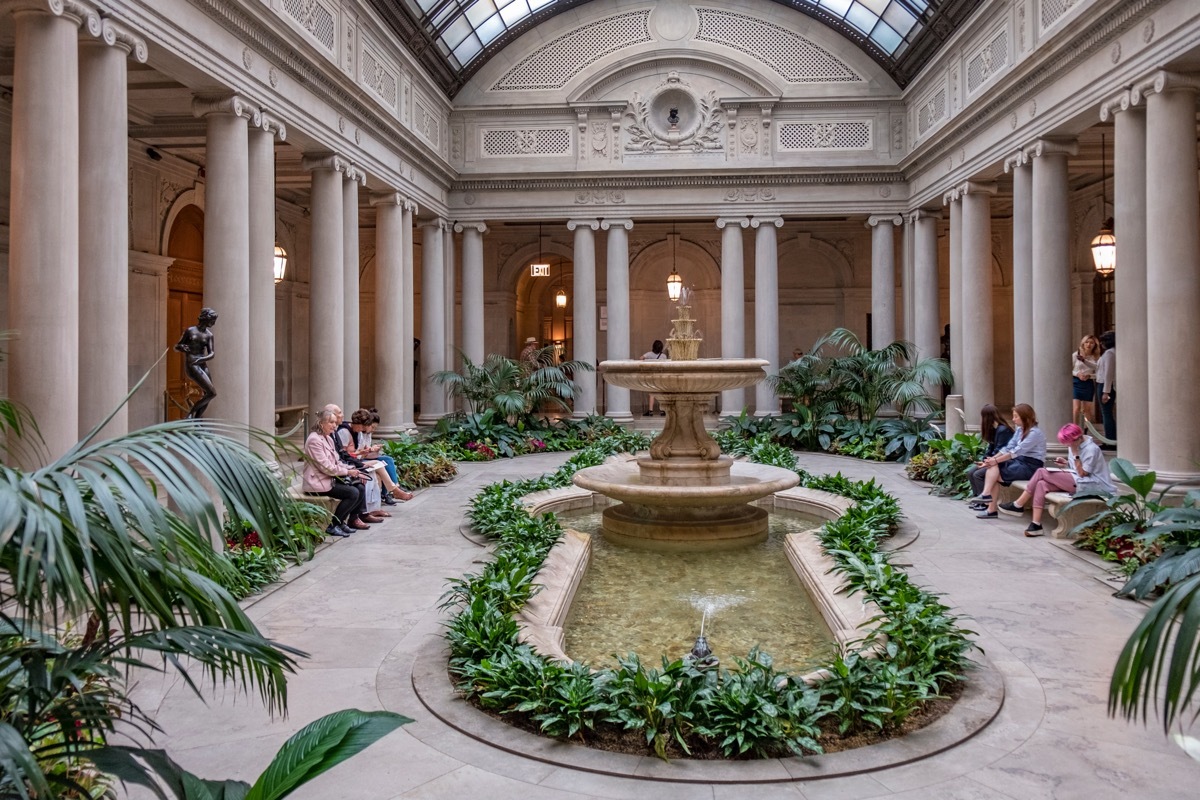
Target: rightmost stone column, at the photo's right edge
1173	276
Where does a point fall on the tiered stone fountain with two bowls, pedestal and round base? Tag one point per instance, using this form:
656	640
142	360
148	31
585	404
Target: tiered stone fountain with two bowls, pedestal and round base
686	495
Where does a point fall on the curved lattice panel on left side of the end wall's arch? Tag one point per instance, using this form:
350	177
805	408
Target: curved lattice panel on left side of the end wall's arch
562	59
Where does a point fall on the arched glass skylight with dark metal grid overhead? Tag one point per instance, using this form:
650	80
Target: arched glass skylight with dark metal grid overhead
454	39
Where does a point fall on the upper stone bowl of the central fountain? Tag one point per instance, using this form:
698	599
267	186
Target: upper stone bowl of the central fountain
701	376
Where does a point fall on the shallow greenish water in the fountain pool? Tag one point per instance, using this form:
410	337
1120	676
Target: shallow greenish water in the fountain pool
651	604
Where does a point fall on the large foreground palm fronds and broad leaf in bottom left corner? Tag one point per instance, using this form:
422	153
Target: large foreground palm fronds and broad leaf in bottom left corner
113	539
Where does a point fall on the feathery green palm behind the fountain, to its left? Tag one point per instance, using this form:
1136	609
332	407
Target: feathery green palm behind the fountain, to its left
514	388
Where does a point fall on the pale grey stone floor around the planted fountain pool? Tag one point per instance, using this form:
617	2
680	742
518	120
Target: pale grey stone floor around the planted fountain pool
368	605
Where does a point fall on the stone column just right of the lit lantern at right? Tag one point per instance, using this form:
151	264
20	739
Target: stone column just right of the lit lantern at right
1130	202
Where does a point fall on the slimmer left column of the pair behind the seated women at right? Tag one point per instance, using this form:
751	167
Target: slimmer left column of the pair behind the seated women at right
1023	276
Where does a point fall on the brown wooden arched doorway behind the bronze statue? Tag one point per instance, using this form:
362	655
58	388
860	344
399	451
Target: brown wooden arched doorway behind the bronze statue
185	298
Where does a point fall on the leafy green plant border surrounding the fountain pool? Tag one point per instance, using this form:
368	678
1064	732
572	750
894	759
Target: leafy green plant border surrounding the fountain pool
921	651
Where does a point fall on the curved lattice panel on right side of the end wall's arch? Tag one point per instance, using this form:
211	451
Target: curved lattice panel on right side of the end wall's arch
791	56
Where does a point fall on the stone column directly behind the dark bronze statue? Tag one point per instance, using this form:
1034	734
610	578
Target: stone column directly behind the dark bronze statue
227	249
